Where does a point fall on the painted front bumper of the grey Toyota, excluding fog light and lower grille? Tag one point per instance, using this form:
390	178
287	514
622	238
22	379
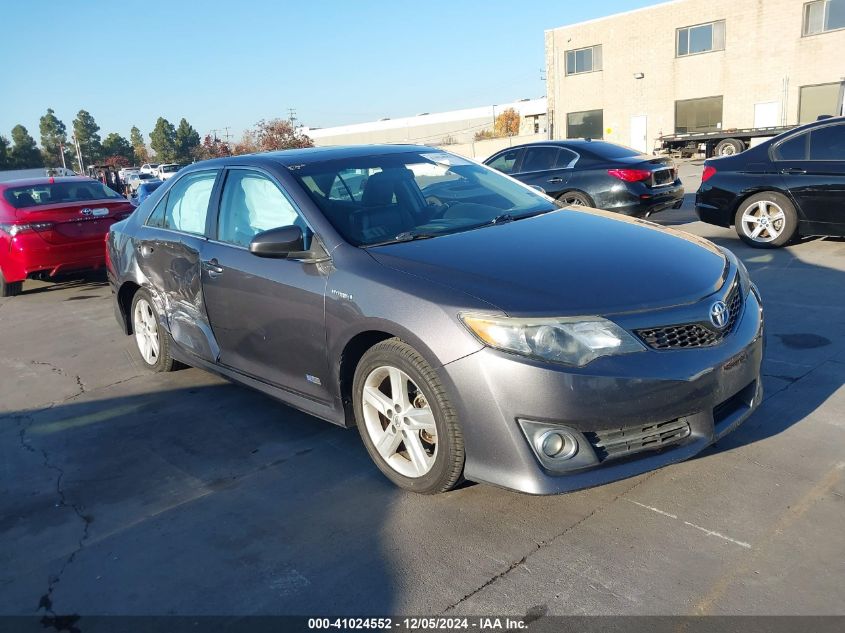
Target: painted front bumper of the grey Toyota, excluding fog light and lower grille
712	389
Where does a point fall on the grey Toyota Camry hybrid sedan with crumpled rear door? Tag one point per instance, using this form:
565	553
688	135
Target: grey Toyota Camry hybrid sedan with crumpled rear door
469	326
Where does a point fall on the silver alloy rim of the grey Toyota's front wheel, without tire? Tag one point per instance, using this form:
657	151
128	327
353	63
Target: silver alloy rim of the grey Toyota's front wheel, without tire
399	421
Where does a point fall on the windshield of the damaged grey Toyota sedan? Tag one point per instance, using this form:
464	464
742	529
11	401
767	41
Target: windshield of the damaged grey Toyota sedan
381	199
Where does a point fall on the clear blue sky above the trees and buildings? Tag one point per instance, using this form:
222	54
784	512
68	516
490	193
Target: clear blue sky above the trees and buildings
232	62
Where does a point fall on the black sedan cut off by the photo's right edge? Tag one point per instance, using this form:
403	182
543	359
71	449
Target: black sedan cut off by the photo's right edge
792	185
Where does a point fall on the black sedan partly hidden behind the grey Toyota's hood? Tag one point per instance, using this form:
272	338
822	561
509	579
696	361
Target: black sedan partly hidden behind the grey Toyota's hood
595	174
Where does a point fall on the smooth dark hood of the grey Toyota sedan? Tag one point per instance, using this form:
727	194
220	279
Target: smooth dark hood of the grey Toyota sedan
567	262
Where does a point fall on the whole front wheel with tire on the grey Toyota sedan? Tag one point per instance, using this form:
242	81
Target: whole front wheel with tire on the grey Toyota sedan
406	420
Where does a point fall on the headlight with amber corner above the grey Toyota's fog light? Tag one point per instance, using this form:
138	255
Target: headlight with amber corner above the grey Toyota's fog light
568	340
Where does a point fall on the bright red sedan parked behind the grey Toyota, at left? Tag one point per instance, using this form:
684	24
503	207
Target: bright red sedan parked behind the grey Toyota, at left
54	225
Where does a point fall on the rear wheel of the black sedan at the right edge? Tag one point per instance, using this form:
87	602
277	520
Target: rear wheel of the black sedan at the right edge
766	220
